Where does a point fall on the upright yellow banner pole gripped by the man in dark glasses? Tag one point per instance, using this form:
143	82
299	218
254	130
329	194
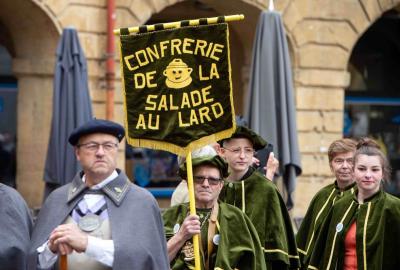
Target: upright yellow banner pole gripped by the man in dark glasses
192	207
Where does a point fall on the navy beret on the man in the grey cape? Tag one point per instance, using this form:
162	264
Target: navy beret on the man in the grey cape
97	126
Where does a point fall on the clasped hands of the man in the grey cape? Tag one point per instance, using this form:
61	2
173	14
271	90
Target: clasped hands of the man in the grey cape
67	237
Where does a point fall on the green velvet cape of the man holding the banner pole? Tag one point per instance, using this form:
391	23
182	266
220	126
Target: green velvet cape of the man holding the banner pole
238	248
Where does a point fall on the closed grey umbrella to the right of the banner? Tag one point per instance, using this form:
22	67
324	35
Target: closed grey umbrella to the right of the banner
270	109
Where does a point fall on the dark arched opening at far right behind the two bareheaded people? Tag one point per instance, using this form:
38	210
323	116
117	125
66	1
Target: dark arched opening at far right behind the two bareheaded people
372	103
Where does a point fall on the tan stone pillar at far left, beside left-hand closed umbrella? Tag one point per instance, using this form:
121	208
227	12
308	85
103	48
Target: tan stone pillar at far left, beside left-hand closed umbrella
32	41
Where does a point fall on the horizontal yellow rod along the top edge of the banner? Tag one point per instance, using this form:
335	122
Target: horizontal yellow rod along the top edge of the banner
195	22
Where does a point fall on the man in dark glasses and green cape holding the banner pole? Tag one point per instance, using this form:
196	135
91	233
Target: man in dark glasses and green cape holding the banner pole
228	240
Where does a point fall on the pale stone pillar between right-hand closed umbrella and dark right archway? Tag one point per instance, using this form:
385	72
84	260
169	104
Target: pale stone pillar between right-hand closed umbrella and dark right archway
323	34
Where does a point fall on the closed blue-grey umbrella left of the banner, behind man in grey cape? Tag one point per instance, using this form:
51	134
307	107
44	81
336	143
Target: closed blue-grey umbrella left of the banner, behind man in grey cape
71	108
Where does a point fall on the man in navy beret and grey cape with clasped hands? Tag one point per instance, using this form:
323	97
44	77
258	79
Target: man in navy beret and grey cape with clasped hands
100	220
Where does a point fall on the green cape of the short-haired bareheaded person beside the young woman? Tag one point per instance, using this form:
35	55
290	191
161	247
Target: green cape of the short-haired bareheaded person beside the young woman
319	208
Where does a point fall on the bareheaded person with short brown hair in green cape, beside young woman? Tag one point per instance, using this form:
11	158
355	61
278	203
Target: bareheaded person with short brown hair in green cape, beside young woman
340	154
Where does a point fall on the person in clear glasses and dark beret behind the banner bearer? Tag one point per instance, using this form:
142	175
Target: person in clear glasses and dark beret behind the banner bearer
247	189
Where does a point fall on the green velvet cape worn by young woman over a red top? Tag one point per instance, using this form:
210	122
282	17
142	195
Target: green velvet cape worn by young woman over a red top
377	234
